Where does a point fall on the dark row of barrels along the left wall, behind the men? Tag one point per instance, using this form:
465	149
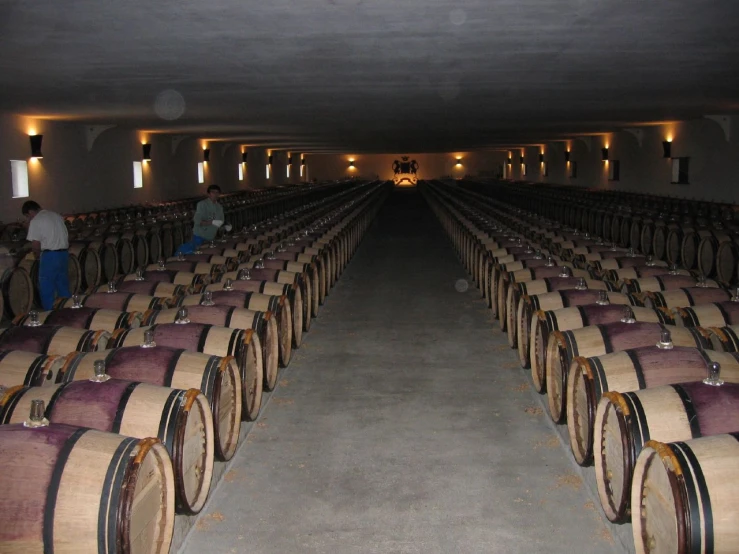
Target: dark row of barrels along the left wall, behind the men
100	251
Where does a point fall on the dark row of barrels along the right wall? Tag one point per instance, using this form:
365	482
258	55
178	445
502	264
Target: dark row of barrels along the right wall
710	246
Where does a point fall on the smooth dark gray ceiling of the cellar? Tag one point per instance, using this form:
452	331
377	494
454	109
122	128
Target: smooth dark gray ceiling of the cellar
371	75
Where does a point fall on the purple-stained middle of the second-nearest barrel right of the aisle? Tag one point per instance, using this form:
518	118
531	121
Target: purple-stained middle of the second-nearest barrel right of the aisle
716	408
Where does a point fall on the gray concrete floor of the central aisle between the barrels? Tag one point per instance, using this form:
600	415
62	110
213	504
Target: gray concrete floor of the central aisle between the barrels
404	424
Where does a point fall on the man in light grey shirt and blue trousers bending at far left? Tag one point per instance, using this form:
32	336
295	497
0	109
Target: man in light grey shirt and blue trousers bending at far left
50	246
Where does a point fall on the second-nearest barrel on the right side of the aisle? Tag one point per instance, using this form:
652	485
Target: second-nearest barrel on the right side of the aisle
676	412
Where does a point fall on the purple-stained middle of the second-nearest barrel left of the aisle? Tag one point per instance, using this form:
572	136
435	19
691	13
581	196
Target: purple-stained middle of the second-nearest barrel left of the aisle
88	404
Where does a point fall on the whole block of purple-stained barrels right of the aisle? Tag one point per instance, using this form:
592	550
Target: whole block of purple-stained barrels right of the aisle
645	374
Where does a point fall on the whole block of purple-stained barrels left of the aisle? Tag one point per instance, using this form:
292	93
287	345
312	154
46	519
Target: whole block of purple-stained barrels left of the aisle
116	404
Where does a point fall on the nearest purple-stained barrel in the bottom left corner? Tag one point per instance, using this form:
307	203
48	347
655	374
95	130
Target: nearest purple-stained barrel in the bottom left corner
84	491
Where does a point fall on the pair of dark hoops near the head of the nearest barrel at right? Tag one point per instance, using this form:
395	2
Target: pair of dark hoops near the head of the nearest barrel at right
695	485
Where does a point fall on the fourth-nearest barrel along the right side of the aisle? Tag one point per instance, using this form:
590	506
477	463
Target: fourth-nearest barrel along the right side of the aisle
564	346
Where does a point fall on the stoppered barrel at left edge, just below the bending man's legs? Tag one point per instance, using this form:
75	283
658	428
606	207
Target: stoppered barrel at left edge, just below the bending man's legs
52	339
